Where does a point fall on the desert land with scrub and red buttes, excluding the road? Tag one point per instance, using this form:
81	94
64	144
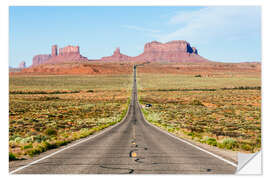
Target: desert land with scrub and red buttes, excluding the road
64	96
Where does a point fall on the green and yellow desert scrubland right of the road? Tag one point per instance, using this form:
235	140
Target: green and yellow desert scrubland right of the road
222	112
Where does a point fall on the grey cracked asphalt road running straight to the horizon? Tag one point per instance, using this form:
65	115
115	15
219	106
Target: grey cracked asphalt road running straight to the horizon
133	146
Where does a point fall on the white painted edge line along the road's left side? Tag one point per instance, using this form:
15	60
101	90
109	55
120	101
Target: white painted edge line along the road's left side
72	145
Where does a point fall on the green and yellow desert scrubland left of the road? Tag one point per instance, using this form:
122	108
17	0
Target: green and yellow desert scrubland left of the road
46	112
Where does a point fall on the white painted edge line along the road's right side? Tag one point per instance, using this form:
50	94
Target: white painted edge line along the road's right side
193	145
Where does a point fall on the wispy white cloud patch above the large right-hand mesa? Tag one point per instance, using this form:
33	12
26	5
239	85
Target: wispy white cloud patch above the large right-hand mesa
214	23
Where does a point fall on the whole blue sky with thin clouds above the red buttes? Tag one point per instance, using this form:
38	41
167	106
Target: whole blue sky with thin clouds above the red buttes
220	33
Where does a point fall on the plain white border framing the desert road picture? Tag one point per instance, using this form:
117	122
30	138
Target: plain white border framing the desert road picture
4	71
